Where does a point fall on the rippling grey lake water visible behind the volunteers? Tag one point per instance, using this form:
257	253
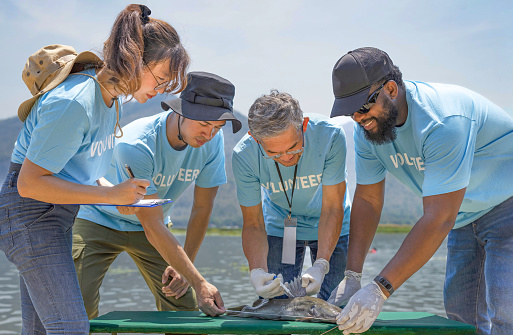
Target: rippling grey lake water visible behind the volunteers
222	263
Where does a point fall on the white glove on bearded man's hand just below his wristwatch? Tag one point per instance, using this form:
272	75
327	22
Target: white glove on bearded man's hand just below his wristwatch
362	309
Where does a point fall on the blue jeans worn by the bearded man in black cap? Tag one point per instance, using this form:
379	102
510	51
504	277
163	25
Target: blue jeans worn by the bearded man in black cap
479	277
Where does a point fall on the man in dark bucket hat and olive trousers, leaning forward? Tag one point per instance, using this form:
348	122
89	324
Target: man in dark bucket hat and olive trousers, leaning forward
172	150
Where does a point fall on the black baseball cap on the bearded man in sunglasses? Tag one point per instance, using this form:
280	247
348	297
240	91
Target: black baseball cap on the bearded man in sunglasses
353	76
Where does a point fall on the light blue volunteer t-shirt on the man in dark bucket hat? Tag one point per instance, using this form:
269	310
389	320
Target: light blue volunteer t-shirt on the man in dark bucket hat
146	149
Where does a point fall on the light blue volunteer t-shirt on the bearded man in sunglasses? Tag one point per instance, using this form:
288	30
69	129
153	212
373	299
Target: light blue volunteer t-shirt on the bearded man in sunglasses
453	138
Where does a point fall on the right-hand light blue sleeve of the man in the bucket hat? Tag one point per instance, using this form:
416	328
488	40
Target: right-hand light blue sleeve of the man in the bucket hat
213	173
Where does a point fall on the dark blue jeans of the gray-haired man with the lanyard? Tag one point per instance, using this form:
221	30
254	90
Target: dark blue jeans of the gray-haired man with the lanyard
337	262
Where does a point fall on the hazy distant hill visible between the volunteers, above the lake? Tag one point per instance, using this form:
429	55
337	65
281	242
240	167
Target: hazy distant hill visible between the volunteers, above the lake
401	205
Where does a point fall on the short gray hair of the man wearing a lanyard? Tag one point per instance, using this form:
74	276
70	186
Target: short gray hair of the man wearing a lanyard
273	114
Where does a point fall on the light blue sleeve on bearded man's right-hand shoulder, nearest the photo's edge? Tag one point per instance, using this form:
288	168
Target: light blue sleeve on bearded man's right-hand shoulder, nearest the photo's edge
448	155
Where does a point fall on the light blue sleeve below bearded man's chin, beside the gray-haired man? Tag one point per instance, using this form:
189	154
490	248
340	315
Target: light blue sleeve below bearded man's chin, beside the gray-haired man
369	170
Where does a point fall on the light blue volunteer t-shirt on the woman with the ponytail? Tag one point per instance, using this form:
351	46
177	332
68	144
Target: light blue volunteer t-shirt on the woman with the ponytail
70	131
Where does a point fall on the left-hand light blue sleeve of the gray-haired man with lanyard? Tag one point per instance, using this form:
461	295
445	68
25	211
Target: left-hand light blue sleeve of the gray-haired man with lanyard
248	184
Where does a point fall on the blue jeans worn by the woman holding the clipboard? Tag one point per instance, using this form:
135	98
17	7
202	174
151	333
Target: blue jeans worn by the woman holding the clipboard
36	237
